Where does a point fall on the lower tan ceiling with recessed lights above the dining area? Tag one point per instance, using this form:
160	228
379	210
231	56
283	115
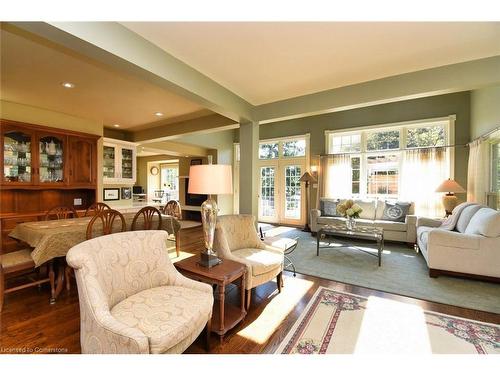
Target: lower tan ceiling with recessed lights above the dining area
32	72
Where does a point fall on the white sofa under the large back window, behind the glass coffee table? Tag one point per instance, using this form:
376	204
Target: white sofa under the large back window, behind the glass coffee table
372	214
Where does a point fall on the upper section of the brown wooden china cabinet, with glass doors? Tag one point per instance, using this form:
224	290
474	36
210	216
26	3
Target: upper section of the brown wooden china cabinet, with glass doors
34	156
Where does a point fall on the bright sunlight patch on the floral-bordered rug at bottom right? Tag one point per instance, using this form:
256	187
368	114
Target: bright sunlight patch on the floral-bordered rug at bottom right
391	327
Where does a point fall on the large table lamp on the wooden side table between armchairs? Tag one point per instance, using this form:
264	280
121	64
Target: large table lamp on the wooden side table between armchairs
210	179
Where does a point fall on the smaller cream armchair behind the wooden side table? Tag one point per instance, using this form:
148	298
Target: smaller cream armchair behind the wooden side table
236	239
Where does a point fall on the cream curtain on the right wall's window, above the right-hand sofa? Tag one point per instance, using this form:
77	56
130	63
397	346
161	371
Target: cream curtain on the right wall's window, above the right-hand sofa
478	171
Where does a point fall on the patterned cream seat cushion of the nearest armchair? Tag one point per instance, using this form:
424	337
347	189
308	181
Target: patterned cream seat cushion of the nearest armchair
166	314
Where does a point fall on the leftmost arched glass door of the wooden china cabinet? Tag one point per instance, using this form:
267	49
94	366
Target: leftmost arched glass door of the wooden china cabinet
17	157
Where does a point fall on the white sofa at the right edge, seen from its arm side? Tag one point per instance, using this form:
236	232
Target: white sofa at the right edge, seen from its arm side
471	248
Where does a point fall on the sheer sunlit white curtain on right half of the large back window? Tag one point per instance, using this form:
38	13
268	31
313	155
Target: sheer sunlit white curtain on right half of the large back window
422	171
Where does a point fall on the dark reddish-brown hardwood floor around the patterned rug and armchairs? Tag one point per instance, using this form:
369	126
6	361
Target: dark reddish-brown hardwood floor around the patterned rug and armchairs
29	324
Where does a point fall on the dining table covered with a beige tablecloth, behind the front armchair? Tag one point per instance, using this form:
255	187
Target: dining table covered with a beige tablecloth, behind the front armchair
51	240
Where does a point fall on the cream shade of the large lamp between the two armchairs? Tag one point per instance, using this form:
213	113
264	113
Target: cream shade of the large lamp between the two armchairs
210	179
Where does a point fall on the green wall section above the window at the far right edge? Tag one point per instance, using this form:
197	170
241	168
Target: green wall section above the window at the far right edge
485	110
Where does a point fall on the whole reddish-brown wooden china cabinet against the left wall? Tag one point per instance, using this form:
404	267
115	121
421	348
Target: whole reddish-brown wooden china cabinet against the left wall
40	168
